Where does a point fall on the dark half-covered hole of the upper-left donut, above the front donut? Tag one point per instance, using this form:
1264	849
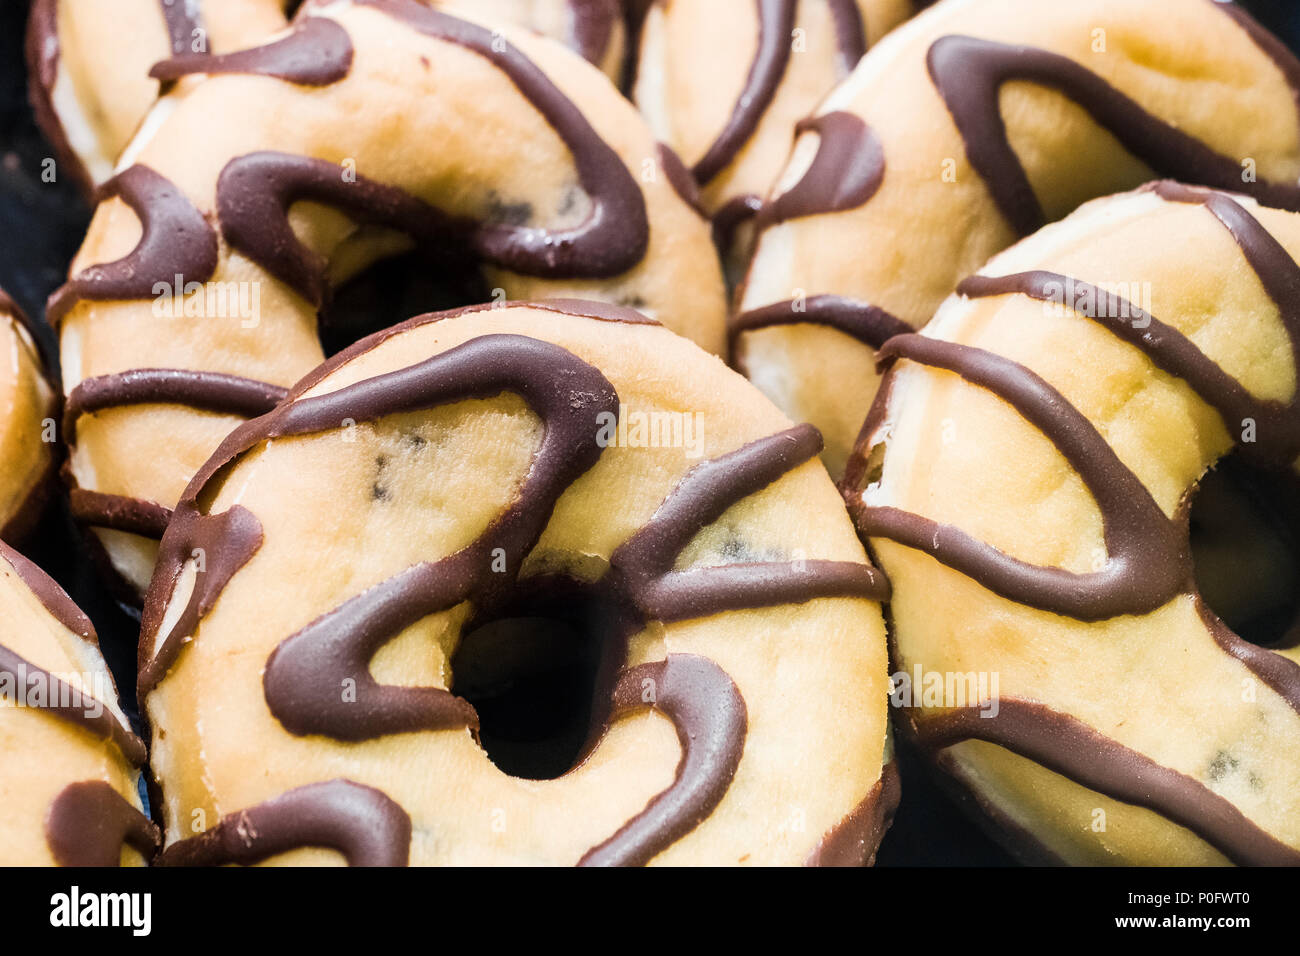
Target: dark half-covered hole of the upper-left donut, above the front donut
393	291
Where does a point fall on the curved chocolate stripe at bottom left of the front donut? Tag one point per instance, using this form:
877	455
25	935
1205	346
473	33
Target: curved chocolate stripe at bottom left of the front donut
361	823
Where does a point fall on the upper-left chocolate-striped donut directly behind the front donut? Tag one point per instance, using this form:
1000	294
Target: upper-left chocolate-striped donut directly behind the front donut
294	167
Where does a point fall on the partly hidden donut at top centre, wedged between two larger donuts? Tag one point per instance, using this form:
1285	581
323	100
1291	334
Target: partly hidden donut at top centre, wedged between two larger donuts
729	110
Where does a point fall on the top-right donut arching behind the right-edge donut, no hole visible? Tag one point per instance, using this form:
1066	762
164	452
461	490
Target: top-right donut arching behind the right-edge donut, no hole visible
973	126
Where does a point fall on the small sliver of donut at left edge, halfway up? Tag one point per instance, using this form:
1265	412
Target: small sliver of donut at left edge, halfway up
27	417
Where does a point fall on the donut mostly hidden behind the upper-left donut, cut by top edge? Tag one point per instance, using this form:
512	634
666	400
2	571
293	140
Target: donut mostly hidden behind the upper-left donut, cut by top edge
90	60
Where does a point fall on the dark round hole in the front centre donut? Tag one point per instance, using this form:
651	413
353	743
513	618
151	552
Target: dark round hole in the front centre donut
534	676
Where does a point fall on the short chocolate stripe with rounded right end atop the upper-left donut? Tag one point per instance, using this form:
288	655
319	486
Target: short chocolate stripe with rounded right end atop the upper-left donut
318	53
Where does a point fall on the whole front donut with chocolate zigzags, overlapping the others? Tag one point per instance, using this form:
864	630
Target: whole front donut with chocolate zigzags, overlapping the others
497	465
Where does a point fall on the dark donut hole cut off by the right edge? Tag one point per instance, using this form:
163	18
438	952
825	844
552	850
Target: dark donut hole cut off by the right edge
1246	546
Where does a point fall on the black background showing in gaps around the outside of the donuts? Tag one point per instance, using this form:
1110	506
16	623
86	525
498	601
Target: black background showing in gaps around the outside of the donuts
41	230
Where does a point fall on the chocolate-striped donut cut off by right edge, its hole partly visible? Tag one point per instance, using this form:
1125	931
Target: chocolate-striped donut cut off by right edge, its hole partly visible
1026	478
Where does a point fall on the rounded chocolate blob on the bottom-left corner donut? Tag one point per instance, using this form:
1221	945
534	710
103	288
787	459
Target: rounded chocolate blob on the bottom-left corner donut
89	824
